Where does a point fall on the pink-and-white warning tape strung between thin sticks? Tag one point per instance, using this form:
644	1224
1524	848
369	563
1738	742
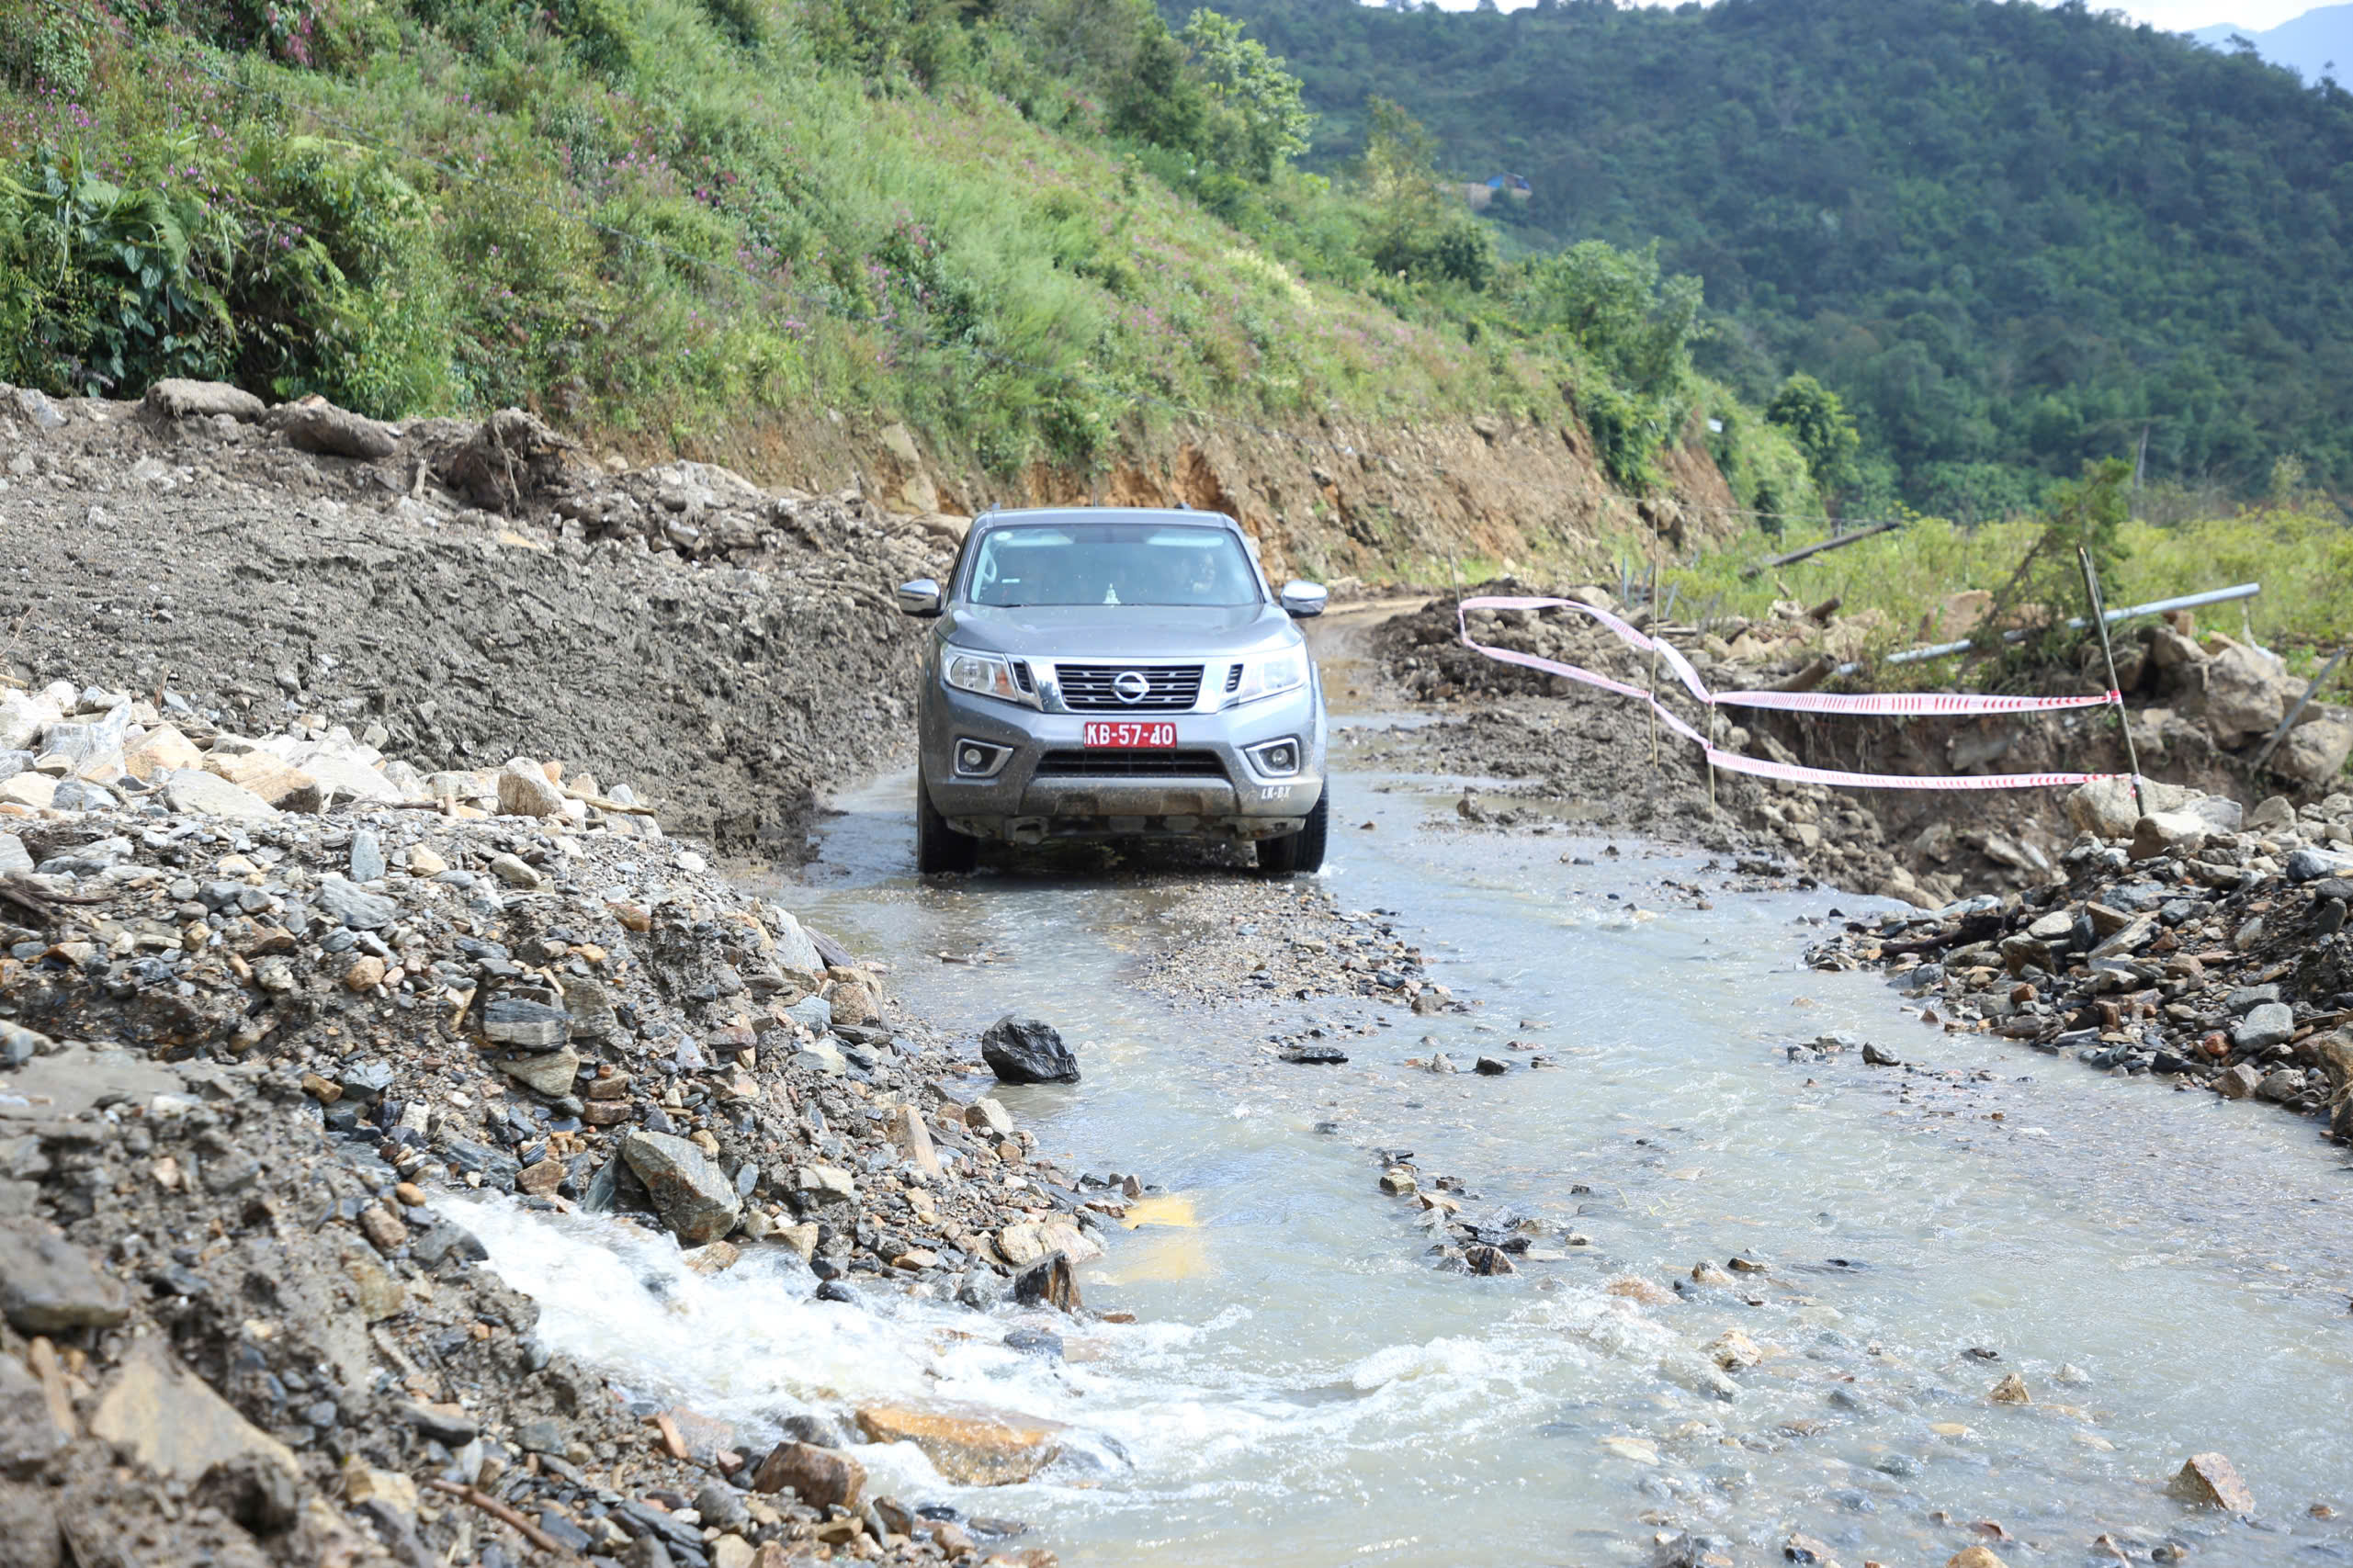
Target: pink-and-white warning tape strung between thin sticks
1792	702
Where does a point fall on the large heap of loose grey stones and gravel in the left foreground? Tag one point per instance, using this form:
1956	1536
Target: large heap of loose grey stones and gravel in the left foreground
255	1059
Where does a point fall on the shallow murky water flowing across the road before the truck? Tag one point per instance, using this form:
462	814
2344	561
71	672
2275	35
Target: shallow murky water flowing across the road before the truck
2166	1273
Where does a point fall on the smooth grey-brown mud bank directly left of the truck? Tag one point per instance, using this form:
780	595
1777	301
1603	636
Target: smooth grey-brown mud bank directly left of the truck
728	674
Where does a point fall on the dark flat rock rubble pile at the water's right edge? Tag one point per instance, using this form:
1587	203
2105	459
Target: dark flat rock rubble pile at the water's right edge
2194	944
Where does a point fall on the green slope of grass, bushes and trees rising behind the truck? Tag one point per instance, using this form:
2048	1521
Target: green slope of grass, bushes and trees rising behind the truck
1027	227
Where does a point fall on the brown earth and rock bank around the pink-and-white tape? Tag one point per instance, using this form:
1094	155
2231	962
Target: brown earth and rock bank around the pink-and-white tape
2199	709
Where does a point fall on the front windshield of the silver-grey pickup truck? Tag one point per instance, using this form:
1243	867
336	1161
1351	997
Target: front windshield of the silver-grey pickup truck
1109	563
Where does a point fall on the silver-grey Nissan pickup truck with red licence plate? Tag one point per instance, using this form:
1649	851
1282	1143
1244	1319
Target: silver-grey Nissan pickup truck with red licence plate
1105	674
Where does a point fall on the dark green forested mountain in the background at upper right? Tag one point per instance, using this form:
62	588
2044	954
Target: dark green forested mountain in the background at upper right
2011	236
